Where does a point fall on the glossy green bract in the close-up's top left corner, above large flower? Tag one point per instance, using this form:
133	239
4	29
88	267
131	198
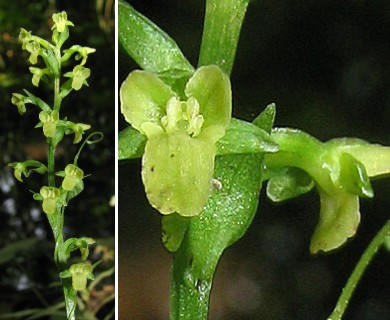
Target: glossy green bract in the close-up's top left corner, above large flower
150	47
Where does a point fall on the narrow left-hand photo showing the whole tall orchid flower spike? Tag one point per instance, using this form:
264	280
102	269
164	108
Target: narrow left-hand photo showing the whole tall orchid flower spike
57	159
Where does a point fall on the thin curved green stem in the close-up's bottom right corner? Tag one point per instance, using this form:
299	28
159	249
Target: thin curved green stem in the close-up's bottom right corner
360	268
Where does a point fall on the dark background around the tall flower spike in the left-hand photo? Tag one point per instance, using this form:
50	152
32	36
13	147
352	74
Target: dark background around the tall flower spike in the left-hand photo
28	276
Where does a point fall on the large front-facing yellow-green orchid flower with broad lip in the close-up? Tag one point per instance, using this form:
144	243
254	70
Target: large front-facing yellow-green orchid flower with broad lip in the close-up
178	162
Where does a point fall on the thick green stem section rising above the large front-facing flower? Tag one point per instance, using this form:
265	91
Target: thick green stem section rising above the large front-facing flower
222	26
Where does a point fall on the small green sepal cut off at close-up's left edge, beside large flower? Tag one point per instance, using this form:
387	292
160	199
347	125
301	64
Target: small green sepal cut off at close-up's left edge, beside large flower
131	144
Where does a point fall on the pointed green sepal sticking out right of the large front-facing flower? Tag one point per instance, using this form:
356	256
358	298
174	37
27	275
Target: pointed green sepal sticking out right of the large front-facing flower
245	137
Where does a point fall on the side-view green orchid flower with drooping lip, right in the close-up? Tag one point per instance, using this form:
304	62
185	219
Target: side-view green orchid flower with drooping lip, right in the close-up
340	169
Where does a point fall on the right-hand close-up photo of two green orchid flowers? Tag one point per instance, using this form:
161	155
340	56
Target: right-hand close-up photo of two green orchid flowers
254	158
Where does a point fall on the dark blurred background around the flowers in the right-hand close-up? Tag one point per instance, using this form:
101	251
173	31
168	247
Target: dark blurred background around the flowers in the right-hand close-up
325	63
